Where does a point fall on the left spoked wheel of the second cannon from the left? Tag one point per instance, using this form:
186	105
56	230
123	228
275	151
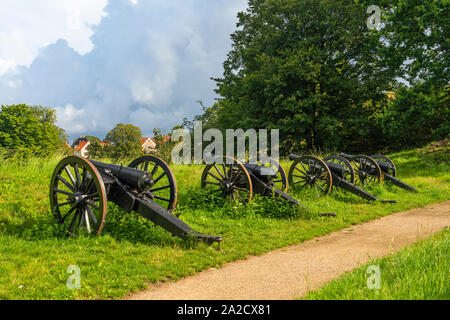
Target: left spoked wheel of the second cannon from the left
229	180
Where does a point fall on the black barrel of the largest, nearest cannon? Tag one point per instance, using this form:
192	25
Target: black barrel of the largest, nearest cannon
129	176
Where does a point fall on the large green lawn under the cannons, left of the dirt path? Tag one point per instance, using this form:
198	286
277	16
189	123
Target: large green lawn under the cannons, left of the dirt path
131	252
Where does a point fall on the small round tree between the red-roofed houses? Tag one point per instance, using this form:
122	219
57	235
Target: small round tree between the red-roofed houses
124	142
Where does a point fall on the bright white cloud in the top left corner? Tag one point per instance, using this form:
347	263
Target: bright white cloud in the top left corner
26	26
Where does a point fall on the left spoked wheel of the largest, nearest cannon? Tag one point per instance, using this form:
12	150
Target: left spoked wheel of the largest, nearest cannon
78	196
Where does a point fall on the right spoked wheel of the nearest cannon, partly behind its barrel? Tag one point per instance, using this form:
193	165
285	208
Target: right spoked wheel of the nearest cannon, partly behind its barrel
163	190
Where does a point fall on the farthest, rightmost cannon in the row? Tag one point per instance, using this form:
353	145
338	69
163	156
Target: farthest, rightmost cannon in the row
376	168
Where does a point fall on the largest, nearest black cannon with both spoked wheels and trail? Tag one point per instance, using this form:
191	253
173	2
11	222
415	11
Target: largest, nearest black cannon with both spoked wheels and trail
80	190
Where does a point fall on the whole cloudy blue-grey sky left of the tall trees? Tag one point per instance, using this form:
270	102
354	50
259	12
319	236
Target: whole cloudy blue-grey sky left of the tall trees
103	62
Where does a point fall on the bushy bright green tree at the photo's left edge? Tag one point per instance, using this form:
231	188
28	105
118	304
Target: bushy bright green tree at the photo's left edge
30	130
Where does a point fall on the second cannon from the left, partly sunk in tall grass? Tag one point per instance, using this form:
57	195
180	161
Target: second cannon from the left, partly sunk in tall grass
238	181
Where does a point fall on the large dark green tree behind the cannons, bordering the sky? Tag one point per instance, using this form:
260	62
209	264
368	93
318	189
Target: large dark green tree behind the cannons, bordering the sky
303	67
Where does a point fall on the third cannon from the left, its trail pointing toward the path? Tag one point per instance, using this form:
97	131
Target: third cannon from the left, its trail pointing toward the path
321	175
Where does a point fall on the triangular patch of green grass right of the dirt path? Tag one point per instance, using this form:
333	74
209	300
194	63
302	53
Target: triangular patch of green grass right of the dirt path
420	271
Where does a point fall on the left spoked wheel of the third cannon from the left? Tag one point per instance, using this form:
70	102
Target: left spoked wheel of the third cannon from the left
310	171
